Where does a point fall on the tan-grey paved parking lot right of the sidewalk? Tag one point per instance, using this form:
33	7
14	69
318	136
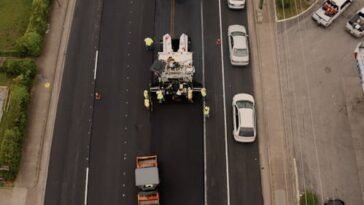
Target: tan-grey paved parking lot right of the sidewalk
323	106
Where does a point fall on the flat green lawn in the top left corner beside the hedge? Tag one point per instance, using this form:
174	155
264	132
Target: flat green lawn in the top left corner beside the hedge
14	17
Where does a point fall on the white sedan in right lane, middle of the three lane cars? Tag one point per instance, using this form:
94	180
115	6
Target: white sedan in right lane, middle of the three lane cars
238	45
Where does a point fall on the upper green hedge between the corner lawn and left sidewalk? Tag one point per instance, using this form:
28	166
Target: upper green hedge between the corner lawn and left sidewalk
30	44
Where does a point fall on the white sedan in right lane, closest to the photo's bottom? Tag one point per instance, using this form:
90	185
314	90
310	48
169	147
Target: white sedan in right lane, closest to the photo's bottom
244	118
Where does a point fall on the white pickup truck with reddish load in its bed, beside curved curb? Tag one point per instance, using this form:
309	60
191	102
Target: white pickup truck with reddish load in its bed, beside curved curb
329	11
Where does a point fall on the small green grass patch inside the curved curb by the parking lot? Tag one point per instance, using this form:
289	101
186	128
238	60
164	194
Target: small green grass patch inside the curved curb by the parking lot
296	7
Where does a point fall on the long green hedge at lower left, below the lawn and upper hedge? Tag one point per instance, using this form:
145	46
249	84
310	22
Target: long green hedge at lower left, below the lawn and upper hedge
13	124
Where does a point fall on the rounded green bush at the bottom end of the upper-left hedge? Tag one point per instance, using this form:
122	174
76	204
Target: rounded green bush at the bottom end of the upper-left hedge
30	44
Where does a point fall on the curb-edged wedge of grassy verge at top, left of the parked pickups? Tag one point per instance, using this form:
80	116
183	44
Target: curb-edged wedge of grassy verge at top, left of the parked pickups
289	8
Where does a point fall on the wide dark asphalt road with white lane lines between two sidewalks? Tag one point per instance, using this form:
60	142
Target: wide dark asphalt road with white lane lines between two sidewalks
95	142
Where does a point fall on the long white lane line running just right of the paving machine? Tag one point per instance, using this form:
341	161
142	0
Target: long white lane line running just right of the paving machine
204	103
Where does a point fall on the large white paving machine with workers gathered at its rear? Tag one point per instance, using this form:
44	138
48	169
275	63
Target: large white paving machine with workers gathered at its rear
172	73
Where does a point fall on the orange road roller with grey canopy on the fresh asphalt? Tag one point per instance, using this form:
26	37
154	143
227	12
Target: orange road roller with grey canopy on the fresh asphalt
147	180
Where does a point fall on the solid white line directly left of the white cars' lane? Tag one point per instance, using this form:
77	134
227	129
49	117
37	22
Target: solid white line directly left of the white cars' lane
224	103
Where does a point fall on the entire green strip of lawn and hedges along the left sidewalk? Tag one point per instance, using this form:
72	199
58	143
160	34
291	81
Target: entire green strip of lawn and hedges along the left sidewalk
23	24
